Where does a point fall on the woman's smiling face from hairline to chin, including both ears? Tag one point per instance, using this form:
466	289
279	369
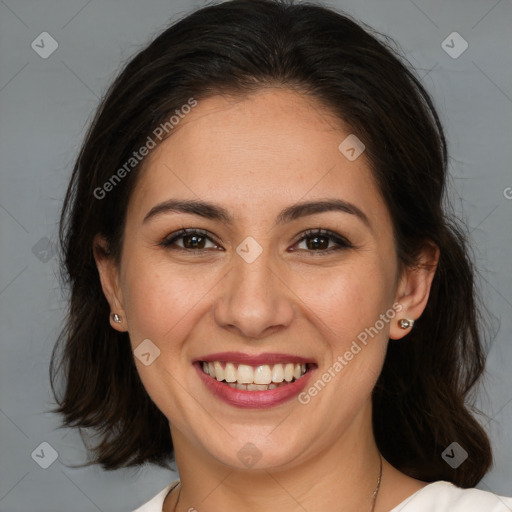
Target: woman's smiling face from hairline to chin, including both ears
287	271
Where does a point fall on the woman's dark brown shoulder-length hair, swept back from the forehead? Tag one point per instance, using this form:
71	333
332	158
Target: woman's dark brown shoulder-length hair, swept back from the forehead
422	401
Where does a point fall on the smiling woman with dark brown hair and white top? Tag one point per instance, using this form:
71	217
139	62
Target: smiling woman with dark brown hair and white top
264	284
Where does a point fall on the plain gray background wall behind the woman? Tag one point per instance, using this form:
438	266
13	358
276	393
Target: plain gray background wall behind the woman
45	105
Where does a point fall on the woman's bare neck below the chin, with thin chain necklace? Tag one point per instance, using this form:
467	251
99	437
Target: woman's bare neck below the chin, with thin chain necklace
339	478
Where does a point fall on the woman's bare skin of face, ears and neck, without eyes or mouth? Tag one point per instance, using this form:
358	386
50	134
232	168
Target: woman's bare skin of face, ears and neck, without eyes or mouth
254	156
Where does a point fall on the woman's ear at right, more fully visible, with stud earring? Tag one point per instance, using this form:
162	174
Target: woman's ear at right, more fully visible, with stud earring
414	289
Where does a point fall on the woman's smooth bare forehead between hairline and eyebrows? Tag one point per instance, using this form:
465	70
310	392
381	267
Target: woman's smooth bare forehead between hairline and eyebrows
260	151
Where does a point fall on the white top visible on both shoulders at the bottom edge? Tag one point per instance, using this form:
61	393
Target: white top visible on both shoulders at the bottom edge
434	497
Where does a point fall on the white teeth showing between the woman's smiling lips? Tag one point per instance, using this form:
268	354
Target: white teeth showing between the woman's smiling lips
254	378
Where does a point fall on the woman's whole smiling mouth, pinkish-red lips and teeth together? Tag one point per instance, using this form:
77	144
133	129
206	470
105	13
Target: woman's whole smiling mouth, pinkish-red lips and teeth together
257	382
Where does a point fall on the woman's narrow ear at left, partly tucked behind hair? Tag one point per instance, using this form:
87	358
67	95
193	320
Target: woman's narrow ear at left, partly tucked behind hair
109	277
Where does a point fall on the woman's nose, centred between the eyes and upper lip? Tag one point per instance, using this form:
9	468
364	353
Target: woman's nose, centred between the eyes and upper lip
253	300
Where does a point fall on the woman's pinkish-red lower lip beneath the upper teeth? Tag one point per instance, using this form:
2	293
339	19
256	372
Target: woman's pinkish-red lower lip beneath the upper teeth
253	399
